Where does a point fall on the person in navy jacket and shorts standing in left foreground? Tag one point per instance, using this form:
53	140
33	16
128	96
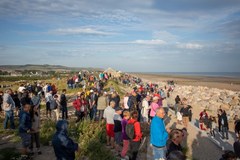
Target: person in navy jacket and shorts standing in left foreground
24	129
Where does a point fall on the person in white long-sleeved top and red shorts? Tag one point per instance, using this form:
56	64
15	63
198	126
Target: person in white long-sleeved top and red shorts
108	116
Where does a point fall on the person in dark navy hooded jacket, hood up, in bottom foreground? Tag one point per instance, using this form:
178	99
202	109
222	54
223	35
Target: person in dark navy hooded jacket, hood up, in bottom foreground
64	147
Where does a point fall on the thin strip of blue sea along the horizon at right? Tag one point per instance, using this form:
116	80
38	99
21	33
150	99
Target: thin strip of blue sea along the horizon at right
206	74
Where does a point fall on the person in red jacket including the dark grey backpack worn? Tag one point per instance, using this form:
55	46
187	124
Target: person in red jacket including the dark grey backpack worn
133	131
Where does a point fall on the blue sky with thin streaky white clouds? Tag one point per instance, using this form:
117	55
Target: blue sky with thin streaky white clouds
127	35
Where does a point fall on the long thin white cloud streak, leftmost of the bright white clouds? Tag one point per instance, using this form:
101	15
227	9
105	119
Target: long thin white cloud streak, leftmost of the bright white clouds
77	31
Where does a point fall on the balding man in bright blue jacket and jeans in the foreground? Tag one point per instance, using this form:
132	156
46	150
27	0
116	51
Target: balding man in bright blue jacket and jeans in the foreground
159	135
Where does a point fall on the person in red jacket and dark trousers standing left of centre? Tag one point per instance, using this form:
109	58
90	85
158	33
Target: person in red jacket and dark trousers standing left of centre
80	106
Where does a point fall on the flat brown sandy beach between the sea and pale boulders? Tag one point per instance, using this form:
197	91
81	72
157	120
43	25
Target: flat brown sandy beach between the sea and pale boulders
228	83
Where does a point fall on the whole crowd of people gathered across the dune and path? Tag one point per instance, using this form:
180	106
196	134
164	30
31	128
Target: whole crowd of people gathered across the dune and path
143	106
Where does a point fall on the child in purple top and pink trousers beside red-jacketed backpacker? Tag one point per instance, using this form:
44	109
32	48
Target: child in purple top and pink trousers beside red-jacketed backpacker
126	116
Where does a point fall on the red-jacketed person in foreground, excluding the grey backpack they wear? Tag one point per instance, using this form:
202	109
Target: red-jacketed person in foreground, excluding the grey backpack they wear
135	142
